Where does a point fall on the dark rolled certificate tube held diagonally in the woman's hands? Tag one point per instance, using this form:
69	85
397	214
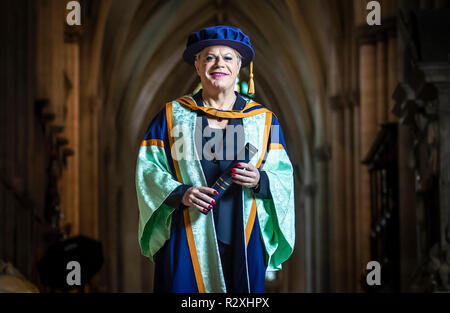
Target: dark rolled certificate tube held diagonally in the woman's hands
224	181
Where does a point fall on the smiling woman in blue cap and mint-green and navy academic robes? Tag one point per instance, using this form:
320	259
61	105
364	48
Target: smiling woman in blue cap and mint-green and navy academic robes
199	244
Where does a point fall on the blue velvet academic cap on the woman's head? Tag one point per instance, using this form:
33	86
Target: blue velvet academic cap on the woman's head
219	36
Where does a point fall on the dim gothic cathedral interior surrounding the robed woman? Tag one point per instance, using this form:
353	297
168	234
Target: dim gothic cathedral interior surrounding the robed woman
365	110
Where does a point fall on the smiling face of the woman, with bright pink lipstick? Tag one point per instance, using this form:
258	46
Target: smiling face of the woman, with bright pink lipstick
218	67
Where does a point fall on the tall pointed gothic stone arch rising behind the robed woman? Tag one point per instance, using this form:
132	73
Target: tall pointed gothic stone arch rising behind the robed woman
141	70
